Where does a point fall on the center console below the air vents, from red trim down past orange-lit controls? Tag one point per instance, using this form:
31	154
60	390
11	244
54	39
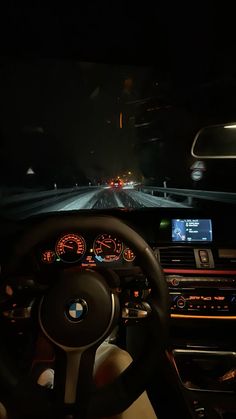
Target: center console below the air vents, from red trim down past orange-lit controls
203	308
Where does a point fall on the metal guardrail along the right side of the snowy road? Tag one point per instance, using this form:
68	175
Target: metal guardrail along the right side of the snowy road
226	197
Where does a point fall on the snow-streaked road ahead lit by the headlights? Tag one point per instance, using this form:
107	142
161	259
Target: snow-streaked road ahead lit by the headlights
94	198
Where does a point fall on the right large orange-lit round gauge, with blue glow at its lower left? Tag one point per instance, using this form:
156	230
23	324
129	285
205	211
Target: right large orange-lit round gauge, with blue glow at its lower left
107	248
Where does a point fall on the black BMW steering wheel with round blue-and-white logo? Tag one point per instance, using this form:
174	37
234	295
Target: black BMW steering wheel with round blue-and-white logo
76	338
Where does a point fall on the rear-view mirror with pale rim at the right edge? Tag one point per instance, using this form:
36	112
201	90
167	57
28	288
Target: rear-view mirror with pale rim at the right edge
215	142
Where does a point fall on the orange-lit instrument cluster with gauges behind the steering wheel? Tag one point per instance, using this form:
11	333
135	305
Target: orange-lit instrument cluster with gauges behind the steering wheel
74	248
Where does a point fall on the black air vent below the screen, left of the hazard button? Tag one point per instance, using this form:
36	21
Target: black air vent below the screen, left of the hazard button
176	257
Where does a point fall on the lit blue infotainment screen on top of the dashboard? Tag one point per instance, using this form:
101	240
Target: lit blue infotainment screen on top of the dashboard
191	230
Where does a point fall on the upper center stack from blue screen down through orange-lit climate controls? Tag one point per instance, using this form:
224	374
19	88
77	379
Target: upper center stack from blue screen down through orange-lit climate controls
201	276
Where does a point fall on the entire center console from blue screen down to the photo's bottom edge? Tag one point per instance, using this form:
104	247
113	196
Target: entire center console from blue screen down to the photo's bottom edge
201	278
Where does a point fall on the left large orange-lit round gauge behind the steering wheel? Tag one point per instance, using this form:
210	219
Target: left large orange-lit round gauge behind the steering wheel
70	248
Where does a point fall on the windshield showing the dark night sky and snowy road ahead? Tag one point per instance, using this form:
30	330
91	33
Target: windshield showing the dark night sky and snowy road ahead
78	135
